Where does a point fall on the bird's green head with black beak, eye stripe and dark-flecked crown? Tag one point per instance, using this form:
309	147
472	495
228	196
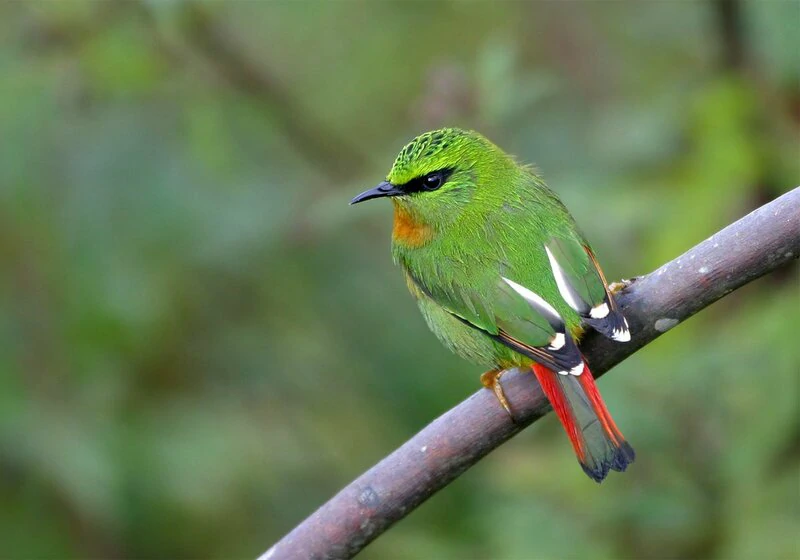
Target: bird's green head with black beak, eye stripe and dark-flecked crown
440	173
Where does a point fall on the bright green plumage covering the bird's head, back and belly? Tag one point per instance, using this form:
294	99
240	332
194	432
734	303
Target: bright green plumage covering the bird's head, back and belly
491	219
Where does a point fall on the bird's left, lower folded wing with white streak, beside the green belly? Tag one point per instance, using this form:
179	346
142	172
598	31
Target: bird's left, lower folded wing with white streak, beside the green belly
514	316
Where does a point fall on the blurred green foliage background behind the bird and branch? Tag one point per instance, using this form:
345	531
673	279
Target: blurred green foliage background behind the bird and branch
200	341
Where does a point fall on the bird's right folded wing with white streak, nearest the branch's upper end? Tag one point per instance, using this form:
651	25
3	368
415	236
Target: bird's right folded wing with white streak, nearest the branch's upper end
583	286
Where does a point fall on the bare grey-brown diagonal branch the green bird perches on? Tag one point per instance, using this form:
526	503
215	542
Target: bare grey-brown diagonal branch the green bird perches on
751	247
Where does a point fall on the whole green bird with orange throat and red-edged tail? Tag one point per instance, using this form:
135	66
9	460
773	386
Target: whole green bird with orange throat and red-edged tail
504	277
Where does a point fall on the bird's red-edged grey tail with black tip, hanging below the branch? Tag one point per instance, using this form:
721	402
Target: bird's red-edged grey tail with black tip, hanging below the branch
598	442
